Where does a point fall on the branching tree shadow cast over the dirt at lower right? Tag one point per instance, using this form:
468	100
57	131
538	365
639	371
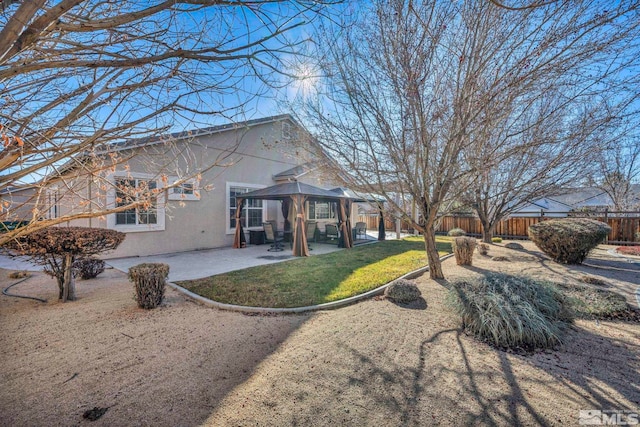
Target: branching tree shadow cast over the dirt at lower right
467	390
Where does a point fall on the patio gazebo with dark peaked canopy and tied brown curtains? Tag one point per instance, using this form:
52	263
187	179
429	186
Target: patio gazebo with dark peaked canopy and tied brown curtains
295	194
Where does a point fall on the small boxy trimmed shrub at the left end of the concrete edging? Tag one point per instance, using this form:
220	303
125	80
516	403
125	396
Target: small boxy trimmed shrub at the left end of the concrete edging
150	281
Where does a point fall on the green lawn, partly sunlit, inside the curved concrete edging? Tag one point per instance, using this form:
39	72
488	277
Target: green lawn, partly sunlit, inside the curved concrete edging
317	279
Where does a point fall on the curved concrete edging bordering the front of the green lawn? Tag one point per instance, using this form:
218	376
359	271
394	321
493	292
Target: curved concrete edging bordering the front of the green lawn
326	306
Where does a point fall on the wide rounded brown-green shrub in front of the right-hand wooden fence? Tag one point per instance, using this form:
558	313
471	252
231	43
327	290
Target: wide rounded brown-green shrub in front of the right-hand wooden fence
568	240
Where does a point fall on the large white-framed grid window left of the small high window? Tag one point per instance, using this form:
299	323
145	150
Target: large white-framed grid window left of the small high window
148	216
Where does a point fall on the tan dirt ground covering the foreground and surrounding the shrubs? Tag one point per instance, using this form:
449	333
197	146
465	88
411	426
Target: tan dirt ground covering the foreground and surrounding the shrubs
372	363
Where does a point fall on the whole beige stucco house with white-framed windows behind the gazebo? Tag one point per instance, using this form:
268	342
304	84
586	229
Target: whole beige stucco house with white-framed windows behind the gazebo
199	213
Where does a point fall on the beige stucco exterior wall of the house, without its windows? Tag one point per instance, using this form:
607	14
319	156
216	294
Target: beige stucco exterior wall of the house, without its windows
244	157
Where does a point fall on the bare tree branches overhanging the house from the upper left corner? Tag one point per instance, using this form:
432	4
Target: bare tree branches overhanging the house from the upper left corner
78	76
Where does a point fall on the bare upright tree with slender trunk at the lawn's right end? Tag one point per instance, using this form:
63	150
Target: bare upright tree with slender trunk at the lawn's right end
415	92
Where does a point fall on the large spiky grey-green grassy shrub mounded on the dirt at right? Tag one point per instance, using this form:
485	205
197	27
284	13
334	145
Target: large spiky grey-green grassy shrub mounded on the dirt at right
511	312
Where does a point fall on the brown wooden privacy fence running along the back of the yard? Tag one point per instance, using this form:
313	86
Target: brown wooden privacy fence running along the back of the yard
625	226
